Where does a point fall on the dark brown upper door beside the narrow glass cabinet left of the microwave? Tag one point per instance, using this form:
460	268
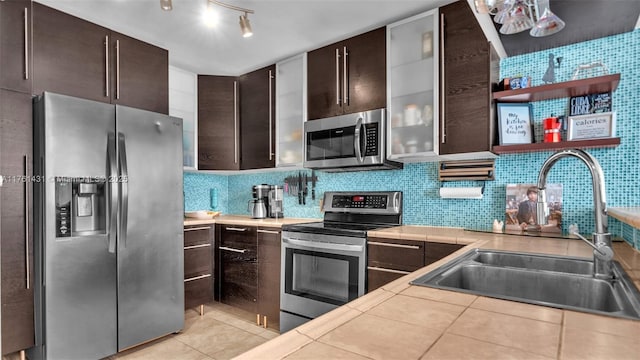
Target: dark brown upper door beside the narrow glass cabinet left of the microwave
257	119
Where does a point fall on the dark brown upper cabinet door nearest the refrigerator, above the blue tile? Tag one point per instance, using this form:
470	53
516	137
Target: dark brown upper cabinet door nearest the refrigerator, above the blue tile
218	123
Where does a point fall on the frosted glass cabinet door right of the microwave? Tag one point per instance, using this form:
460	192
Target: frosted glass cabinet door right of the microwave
412	91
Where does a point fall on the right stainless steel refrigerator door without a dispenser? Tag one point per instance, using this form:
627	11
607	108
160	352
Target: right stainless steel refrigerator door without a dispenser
150	255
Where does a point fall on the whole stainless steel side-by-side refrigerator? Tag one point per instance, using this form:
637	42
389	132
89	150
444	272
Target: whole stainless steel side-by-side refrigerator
109	204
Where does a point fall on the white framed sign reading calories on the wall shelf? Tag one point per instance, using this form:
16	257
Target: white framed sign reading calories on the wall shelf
591	126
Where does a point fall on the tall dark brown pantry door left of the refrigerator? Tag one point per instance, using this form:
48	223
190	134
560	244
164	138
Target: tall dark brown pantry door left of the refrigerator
16	227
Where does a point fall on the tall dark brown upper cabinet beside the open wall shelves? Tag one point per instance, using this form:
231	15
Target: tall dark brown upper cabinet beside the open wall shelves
468	67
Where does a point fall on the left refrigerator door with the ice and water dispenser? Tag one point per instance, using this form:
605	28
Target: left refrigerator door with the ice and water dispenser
79	271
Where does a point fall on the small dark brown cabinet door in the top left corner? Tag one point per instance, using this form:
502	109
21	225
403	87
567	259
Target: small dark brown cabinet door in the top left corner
15	45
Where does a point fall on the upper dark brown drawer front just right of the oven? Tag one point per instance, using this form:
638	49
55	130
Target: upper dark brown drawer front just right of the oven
395	254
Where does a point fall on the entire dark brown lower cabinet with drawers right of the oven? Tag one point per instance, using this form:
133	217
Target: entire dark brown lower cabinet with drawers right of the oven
390	259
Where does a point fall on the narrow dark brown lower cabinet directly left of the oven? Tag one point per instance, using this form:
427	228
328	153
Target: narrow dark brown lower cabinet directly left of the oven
269	277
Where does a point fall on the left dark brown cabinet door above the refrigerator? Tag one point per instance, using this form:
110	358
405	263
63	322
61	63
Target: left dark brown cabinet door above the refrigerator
70	55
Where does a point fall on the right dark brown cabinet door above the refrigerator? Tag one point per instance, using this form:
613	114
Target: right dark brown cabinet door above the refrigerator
140	74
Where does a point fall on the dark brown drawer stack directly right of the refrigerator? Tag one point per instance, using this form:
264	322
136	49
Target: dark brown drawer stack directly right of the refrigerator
198	266
